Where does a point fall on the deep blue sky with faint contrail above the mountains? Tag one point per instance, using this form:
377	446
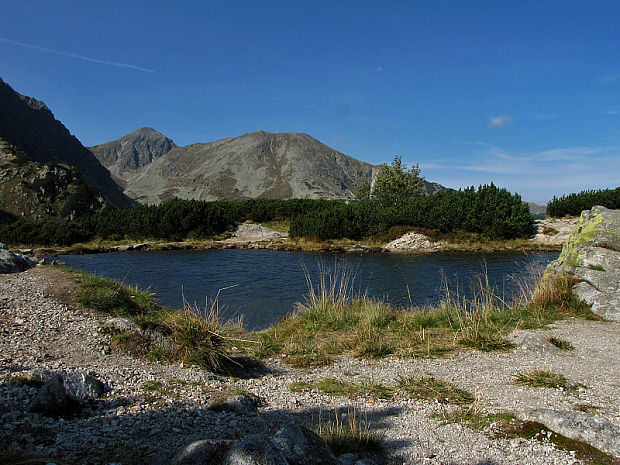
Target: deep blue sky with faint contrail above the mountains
525	94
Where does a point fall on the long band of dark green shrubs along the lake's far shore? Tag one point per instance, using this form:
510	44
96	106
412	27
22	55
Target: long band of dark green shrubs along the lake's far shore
488	210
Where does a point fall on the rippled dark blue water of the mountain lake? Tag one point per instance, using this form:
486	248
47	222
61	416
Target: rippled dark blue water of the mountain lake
262	286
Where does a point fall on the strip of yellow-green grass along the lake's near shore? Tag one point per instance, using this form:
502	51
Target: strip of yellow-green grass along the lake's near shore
331	322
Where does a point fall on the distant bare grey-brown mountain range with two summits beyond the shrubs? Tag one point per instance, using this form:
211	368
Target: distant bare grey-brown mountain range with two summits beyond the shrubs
258	164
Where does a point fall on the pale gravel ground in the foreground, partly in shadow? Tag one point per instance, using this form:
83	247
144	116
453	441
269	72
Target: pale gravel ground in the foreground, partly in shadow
134	424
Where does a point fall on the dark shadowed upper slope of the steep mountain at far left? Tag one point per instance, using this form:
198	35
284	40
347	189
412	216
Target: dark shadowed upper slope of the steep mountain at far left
27	125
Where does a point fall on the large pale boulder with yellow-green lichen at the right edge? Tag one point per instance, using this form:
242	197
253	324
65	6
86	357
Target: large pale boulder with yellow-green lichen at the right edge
592	254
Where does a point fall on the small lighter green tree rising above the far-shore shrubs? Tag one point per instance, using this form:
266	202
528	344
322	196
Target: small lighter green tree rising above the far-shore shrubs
395	184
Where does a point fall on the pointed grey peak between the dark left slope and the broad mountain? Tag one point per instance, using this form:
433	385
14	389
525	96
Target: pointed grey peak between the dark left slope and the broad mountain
128	155
